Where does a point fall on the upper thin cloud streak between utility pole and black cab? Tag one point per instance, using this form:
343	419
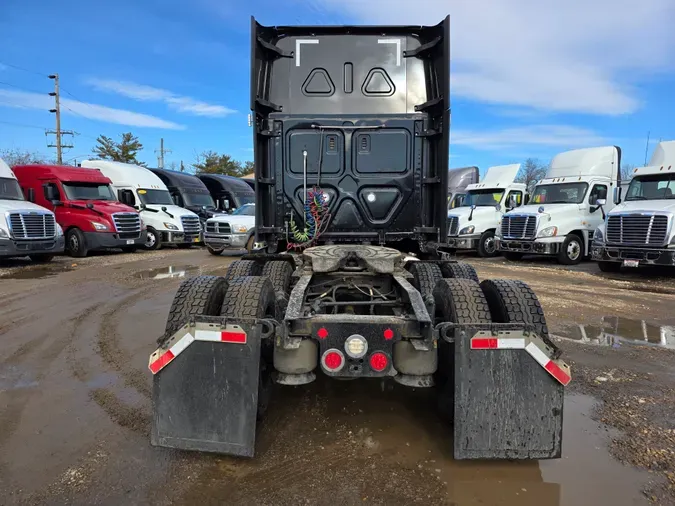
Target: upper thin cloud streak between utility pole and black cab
145	93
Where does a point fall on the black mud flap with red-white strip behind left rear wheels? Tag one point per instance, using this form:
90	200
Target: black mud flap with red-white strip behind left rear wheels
205	396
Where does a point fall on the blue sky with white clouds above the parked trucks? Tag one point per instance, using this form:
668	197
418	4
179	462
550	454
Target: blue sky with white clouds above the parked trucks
529	77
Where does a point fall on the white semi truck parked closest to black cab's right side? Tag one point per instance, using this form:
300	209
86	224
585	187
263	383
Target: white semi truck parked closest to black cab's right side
472	225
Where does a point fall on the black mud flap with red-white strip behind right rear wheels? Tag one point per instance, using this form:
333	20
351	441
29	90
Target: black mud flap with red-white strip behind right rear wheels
508	405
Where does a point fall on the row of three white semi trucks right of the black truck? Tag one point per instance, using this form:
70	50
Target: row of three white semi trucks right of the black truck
581	209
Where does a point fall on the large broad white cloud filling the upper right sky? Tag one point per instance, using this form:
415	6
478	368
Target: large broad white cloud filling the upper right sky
572	56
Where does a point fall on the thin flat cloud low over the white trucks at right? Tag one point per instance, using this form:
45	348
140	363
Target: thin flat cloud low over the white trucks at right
560	136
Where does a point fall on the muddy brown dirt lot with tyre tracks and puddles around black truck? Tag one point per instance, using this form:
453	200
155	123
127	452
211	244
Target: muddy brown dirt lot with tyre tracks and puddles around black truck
75	336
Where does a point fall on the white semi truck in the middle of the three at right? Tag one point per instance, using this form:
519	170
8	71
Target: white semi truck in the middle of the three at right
565	207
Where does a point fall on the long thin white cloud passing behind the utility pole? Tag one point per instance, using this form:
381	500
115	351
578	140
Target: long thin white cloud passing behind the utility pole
25	100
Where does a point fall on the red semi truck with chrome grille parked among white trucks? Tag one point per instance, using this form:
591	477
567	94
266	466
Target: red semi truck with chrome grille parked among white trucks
85	207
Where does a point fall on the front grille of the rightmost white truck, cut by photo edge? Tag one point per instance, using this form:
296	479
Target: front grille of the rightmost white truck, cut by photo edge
637	229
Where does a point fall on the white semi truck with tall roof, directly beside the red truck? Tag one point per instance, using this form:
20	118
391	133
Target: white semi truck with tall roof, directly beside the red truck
139	188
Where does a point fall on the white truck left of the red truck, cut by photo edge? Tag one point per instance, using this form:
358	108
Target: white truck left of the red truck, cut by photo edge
26	229
